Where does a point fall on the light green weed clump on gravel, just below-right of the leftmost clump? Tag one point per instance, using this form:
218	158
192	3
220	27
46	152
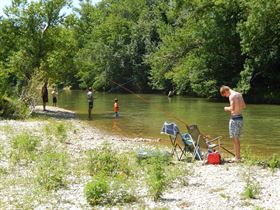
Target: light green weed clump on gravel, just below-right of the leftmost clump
52	169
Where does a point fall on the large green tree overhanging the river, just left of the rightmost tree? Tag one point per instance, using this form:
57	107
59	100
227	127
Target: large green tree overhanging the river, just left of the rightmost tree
202	53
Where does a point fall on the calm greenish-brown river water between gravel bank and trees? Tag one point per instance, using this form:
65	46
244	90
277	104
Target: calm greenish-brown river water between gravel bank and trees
143	115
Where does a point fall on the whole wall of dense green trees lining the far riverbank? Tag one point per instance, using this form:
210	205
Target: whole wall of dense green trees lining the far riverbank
189	46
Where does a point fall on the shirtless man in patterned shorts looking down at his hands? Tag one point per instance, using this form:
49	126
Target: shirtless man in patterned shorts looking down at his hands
237	104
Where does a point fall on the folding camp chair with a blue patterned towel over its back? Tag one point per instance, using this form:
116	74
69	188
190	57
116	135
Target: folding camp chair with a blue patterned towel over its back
181	143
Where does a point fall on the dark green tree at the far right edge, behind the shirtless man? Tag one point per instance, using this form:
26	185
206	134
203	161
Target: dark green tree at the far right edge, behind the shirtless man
260	41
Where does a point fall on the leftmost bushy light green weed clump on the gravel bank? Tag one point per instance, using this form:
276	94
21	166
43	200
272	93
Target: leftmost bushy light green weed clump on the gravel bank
23	147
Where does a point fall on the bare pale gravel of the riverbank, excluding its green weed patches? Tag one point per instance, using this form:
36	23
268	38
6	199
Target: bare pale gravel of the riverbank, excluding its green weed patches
209	186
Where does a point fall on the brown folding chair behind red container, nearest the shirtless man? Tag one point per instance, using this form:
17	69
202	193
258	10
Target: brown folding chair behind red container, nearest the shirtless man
211	143
